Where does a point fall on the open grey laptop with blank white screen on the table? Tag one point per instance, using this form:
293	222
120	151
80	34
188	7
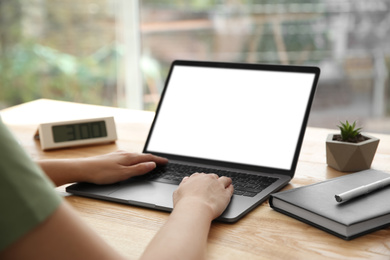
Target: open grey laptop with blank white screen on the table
245	121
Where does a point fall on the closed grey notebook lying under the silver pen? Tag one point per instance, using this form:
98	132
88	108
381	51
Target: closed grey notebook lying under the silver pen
316	205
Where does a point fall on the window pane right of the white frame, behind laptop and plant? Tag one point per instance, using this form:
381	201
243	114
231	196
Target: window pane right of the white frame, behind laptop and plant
348	40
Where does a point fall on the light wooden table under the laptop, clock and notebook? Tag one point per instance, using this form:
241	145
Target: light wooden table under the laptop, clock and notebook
262	234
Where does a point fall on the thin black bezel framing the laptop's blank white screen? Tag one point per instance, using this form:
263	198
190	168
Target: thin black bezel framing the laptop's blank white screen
265	67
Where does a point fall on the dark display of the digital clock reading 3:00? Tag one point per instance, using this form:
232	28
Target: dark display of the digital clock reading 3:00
72	132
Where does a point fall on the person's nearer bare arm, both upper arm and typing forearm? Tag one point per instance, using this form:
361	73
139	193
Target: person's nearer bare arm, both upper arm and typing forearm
199	200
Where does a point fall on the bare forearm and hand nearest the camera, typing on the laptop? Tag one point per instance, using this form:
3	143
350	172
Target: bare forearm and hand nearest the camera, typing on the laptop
198	200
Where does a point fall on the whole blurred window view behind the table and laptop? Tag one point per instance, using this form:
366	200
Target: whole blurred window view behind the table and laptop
118	52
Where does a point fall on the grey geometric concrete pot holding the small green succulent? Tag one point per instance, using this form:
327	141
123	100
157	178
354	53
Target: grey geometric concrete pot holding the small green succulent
350	157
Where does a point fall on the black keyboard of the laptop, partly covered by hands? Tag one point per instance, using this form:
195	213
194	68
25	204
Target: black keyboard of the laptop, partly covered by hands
244	184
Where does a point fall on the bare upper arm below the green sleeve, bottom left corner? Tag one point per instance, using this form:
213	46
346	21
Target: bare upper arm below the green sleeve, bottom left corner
61	236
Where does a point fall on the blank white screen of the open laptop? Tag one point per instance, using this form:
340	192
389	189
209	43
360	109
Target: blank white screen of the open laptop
216	114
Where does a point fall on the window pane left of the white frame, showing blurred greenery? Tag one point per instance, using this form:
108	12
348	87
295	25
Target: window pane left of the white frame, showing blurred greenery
63	50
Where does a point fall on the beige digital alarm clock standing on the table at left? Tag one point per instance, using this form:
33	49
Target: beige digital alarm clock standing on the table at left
76	133
